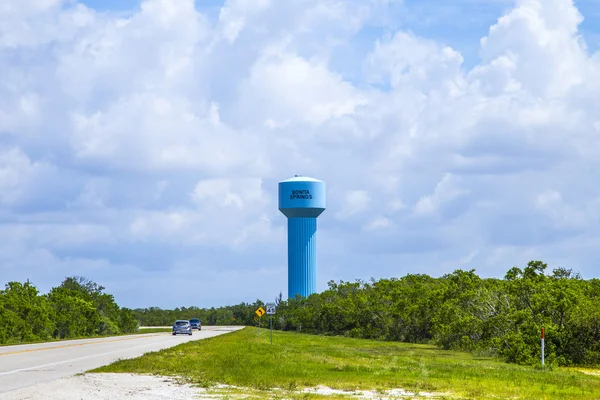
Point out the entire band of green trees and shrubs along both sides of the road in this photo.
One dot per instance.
(458, 311)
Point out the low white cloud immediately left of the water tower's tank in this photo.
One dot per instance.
(229, 213)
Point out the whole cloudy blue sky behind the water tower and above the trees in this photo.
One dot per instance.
(141, 142)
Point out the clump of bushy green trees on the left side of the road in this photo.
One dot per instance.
(76, 308)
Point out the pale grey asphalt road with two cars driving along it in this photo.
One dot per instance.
(26, 365)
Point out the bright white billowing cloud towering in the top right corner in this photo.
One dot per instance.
(543, 41)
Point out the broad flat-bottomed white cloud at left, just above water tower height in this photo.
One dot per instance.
(155, 132)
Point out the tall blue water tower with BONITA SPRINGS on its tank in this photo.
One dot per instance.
(302, 200)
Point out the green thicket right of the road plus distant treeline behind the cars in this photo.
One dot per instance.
(458, 311)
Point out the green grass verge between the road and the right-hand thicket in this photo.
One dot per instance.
(246, 359)
